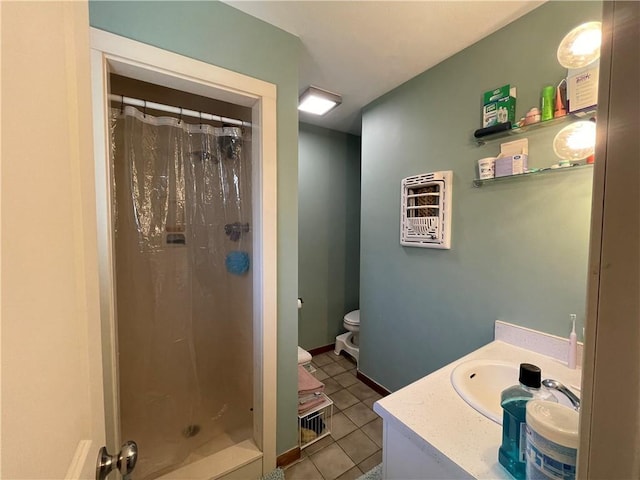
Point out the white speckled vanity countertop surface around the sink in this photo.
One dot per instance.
(439, 422)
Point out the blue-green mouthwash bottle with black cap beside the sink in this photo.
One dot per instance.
(511, 454)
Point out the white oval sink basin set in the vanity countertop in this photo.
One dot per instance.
(480, 382)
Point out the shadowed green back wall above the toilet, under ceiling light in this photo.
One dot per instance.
(328, 232)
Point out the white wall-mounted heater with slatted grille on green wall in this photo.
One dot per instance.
(425, 213)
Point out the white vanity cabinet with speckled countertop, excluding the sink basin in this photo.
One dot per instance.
(430, 432)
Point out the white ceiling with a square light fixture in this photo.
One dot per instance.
(363, 49)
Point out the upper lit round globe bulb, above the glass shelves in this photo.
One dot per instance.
(581, 46)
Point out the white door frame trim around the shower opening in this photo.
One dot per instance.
(114, 54)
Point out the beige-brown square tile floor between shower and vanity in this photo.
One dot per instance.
(355, 444)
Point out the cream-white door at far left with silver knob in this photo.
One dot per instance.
(52, 402)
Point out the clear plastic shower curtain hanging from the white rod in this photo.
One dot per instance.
(183, 287)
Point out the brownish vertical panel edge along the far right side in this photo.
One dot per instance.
(610, 415)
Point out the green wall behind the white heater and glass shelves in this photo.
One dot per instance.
(519, 249)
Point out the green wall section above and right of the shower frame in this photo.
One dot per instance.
(220, 35)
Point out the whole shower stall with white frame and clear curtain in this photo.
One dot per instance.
(186, 228)
